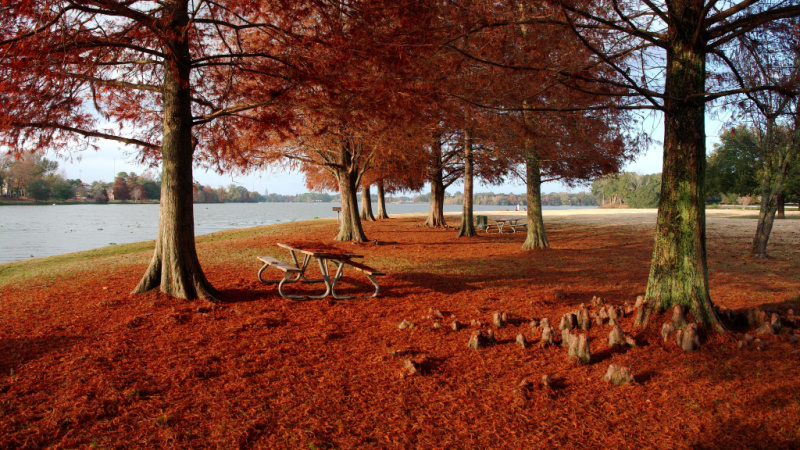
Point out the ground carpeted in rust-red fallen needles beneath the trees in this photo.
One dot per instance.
(85, 364)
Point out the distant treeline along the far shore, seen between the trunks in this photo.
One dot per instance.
(37, 179)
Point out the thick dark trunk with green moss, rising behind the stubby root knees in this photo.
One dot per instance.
(679, 271)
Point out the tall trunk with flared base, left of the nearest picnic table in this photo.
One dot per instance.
(174, 266)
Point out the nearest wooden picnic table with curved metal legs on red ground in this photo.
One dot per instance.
(297, 271)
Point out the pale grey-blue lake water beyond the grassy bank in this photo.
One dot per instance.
(34, 231)
